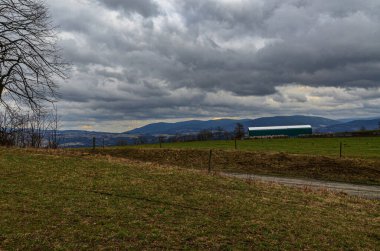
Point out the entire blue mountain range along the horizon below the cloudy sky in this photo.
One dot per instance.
(77, 138)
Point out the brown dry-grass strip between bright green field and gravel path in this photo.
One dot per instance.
(360, 171)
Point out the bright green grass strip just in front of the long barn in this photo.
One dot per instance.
(357, 147)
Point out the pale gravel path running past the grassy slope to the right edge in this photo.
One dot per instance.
(371, 192)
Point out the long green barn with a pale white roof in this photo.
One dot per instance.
(289, 131)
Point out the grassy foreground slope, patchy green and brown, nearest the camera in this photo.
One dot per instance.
(73, 202)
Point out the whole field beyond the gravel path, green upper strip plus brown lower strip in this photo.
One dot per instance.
(313, 158)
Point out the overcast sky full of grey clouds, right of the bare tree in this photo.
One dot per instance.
(136, 62)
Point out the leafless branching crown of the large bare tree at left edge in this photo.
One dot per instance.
(30, 61)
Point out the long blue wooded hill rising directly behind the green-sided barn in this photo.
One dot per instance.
(194, 126)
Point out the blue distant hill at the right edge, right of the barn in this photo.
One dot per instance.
(356, 125)
